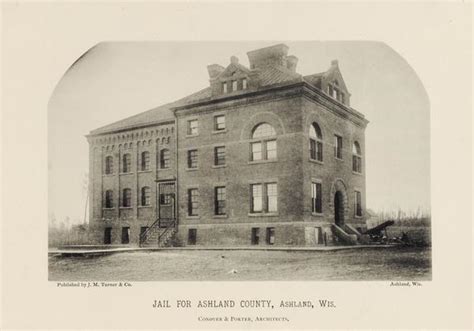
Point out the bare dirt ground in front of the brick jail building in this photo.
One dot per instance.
(353, 265)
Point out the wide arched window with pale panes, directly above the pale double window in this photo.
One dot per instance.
(263, 146)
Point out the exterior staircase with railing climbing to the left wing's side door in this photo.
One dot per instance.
(159, 234)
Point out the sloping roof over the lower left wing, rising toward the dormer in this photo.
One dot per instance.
(155, 115)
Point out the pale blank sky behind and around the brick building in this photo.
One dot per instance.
(114, 80)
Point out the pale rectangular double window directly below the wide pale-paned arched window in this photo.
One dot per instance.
(264, 198)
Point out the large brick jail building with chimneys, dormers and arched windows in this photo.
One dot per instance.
(262, 156)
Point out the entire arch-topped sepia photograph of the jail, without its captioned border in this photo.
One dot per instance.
(239, 161)
